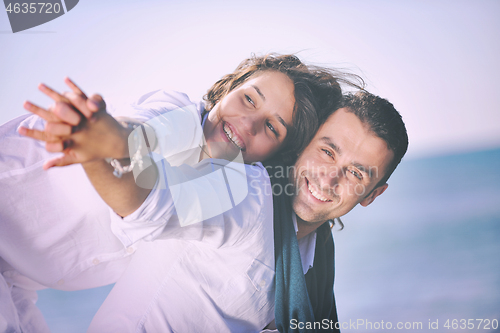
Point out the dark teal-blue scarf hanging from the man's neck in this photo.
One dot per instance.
(300, 299)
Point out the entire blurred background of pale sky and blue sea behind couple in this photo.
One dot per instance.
(428, 249)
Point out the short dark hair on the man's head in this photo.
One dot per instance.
(384, 121)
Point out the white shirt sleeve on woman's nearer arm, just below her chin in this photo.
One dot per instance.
(195, 203)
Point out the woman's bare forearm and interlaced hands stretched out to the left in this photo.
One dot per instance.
(97, 137)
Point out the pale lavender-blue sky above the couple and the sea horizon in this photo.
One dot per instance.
(437, 61)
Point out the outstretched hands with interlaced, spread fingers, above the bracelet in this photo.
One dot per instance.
(77, 126)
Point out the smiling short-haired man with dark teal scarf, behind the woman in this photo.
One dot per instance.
(348, 162)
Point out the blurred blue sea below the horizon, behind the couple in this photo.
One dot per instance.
(427, 250)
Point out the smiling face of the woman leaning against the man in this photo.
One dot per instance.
(253, 118)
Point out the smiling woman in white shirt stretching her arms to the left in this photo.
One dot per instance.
(270, 104)
